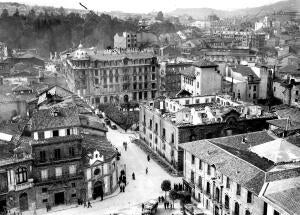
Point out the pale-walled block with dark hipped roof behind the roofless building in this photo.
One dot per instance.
(202, 78)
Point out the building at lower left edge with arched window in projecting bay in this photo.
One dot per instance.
(16, 175)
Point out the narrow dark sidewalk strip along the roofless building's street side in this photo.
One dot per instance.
(156, 157)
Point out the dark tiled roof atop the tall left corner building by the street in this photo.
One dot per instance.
(44, 119)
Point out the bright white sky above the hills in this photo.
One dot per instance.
(144, 6)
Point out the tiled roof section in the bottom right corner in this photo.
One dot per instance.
(288, 200)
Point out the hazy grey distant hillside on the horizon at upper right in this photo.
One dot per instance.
(201, 13)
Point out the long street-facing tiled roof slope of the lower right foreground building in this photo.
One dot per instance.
(238, 170)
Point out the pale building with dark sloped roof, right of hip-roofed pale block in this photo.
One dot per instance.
(249, 83)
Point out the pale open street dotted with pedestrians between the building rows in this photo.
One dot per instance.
(144, 188)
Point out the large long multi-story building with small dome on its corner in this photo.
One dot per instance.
(120, 76)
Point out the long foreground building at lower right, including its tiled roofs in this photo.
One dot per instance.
(253, 173)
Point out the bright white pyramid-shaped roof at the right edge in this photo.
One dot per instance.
(278, 150)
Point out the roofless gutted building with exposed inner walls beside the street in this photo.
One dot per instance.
(167, 123)
